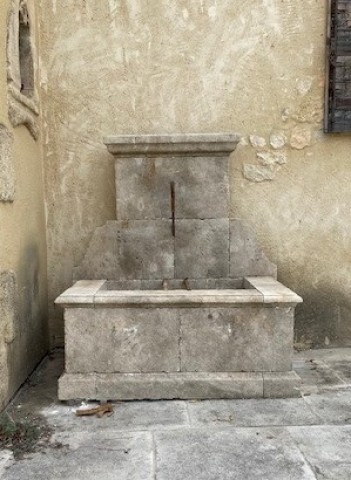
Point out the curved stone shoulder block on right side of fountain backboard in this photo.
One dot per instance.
(246, 256)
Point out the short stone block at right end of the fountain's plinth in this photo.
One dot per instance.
(281, 384)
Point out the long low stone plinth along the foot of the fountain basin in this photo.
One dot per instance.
(166, 386)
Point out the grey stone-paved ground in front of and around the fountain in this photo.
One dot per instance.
(295, 439)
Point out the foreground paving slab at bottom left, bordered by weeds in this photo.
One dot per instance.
(90, 455)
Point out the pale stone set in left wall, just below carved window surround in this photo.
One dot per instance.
(7, 169)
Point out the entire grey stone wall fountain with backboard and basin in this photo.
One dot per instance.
(175, 299)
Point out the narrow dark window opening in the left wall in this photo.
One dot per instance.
(26, 56)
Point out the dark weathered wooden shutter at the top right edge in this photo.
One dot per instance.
(338, 88)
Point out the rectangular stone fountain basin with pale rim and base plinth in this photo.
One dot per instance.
(223, 338)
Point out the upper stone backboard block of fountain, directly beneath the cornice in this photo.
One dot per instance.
(143, 187)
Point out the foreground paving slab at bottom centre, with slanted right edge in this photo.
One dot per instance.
(227, 454)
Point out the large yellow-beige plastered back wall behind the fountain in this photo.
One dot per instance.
(254, 67)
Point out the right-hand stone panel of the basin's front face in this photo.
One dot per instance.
(237, 339)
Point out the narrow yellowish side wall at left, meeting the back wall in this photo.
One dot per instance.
(23, 292)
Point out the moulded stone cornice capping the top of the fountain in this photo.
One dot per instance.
(190, 144)
